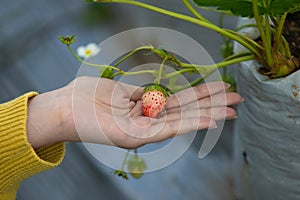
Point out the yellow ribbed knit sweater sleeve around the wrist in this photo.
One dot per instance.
(18, 160)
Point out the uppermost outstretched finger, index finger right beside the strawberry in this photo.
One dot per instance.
(194, 93)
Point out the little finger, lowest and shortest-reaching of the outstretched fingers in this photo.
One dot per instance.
(179, 127)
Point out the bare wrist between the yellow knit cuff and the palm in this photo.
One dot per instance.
(49, 118)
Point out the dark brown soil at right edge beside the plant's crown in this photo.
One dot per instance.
(292, 33)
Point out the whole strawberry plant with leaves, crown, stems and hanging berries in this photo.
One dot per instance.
(271, 50)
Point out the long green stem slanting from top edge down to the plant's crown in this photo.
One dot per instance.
(189, 19)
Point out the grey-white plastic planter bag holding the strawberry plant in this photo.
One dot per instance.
(267, 136)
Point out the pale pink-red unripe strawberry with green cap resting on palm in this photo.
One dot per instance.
(154, 100)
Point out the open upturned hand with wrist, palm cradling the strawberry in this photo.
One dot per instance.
(108, 112)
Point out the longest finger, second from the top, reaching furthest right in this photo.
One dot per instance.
(222, 99)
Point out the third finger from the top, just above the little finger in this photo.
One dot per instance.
(217, 113)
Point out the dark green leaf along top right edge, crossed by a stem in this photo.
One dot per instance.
(244, 8)
